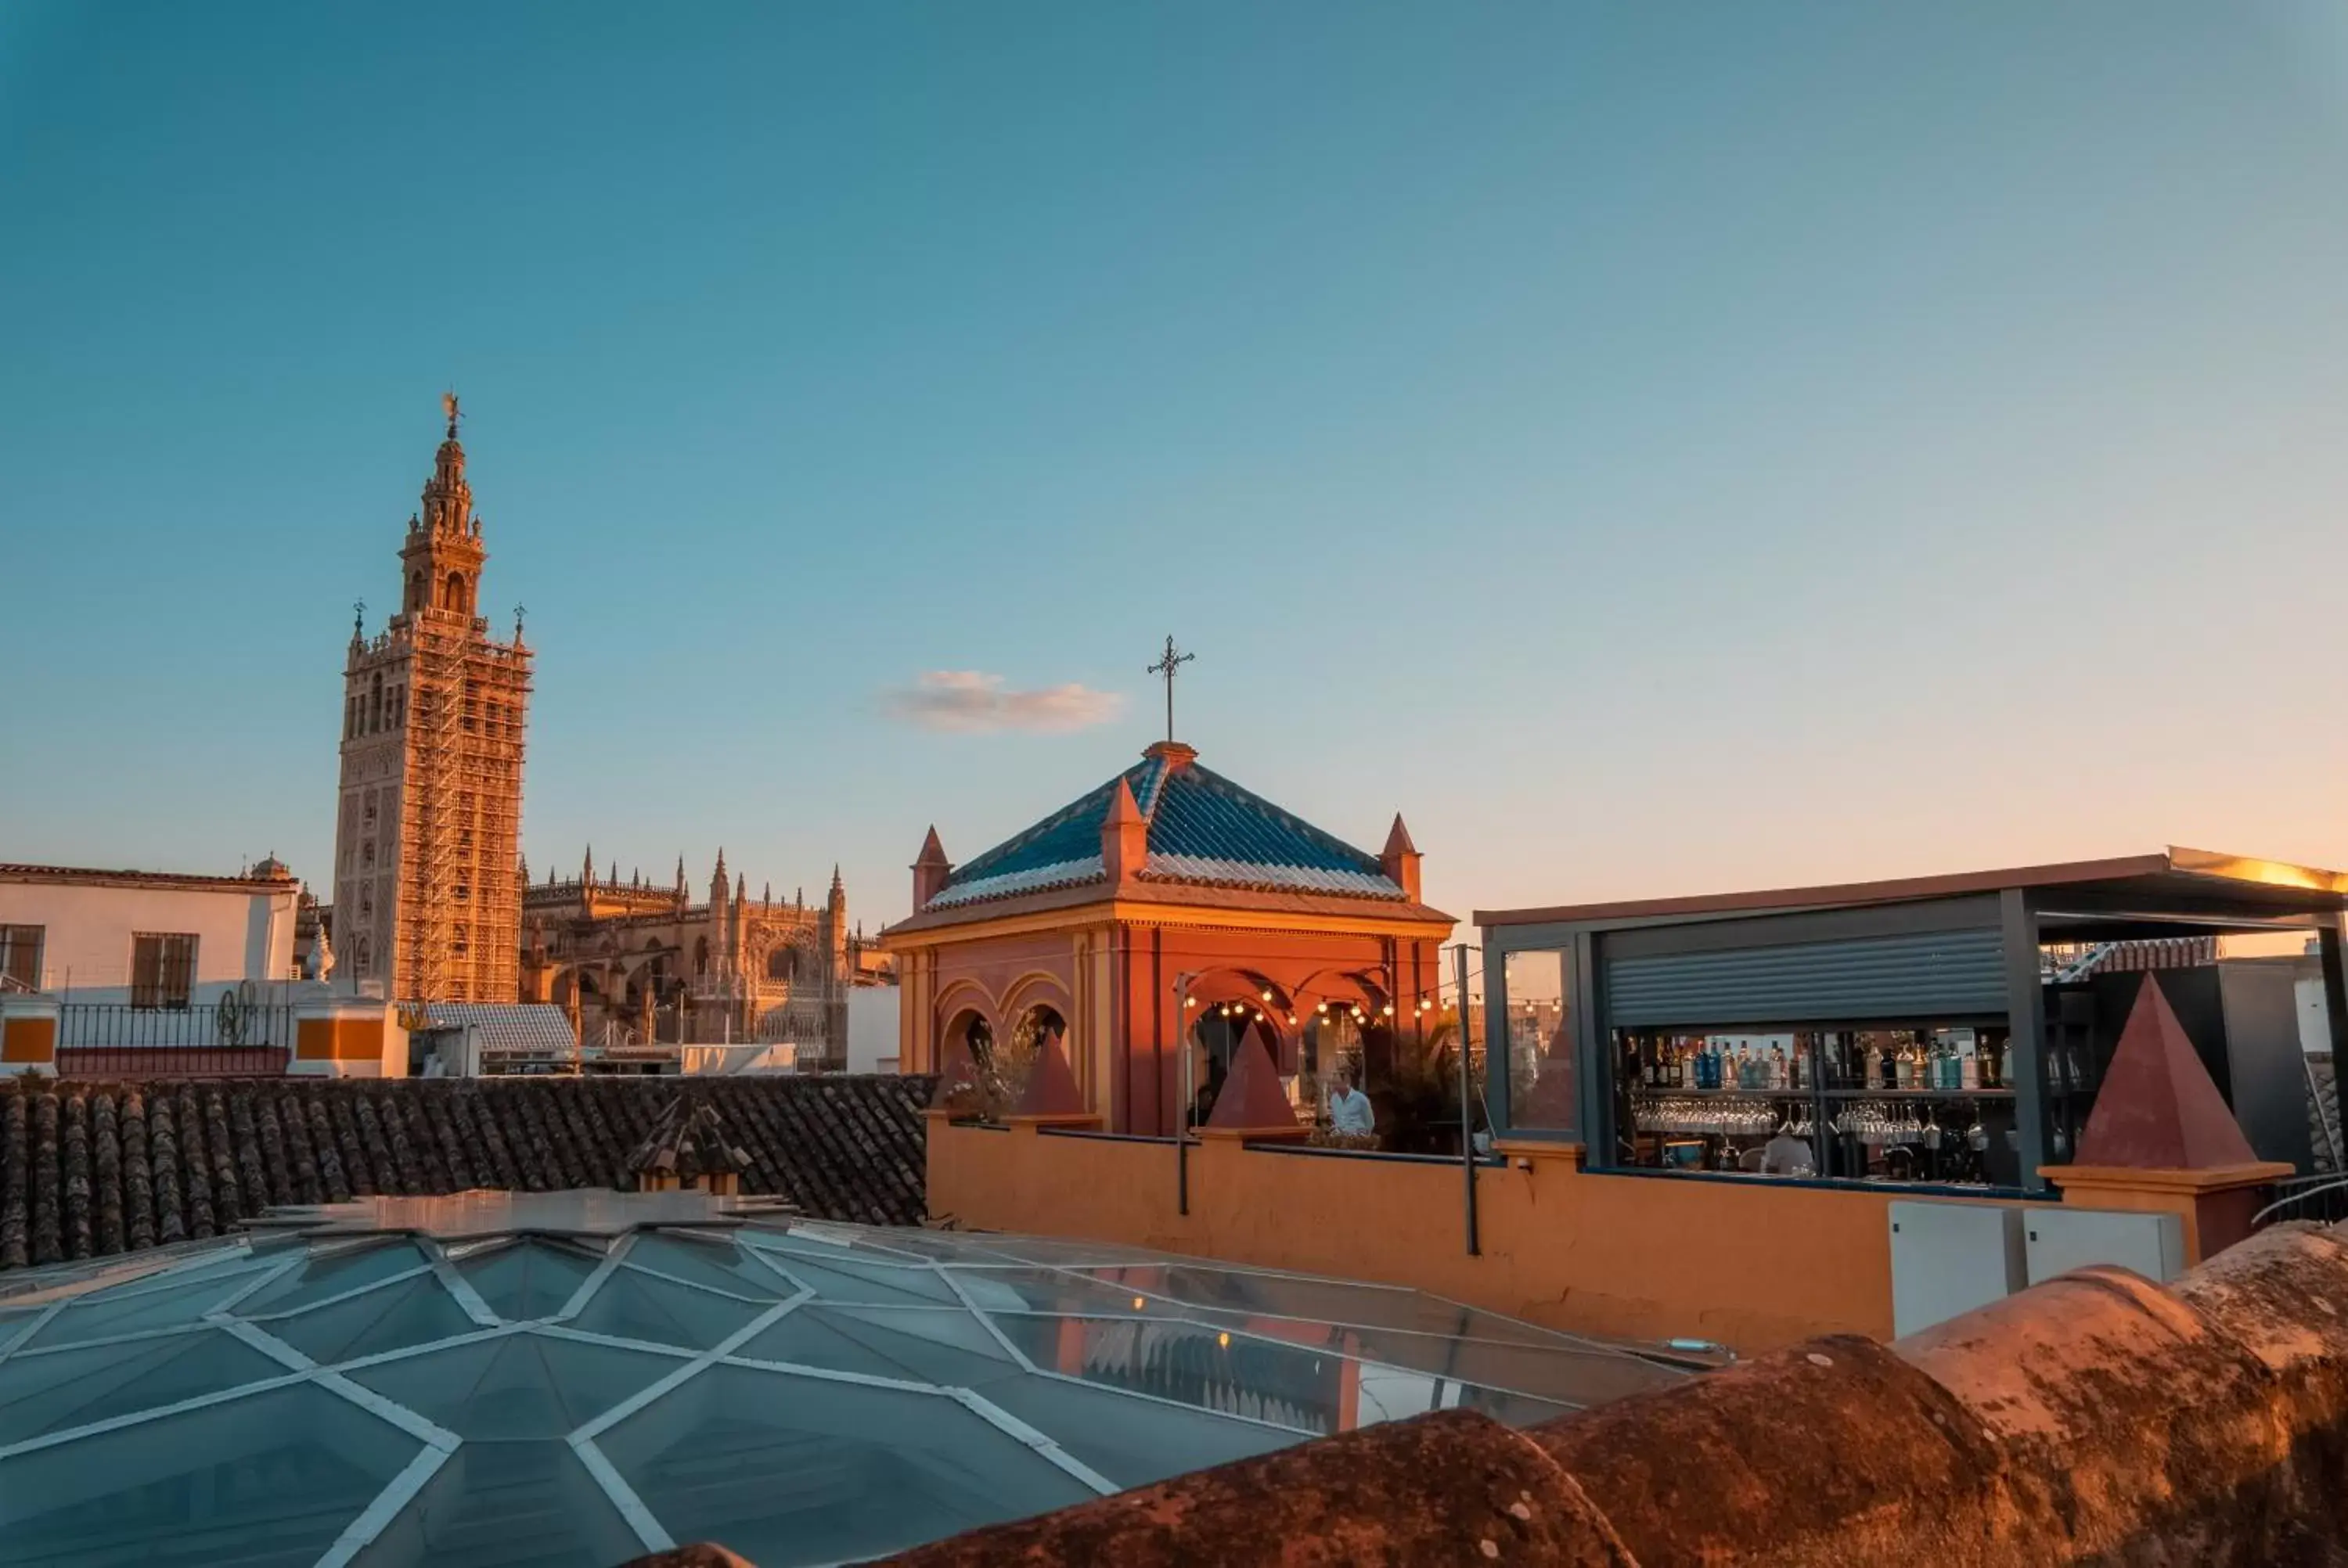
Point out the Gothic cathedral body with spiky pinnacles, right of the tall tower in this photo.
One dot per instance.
(637, 964)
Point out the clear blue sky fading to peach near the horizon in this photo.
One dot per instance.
(1654, 450)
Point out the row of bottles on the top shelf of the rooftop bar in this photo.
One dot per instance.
(1945, 1062)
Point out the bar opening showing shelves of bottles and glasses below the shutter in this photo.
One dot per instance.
(1915, 1104)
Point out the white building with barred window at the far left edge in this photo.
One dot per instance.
(144, 940)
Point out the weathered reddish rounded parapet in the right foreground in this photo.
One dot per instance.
(2096, 1419)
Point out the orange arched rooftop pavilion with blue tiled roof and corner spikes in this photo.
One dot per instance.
(1159, 914)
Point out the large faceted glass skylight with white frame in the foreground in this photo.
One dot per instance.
(586, 1377)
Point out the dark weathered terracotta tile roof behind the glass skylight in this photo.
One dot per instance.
(95, 1168)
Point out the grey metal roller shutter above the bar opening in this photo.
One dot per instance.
(1865, 978)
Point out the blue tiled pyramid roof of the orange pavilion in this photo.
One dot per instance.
(1201, 830)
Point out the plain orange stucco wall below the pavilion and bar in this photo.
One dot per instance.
(1642, 1257)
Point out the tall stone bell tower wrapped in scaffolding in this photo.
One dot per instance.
(429, 834)
